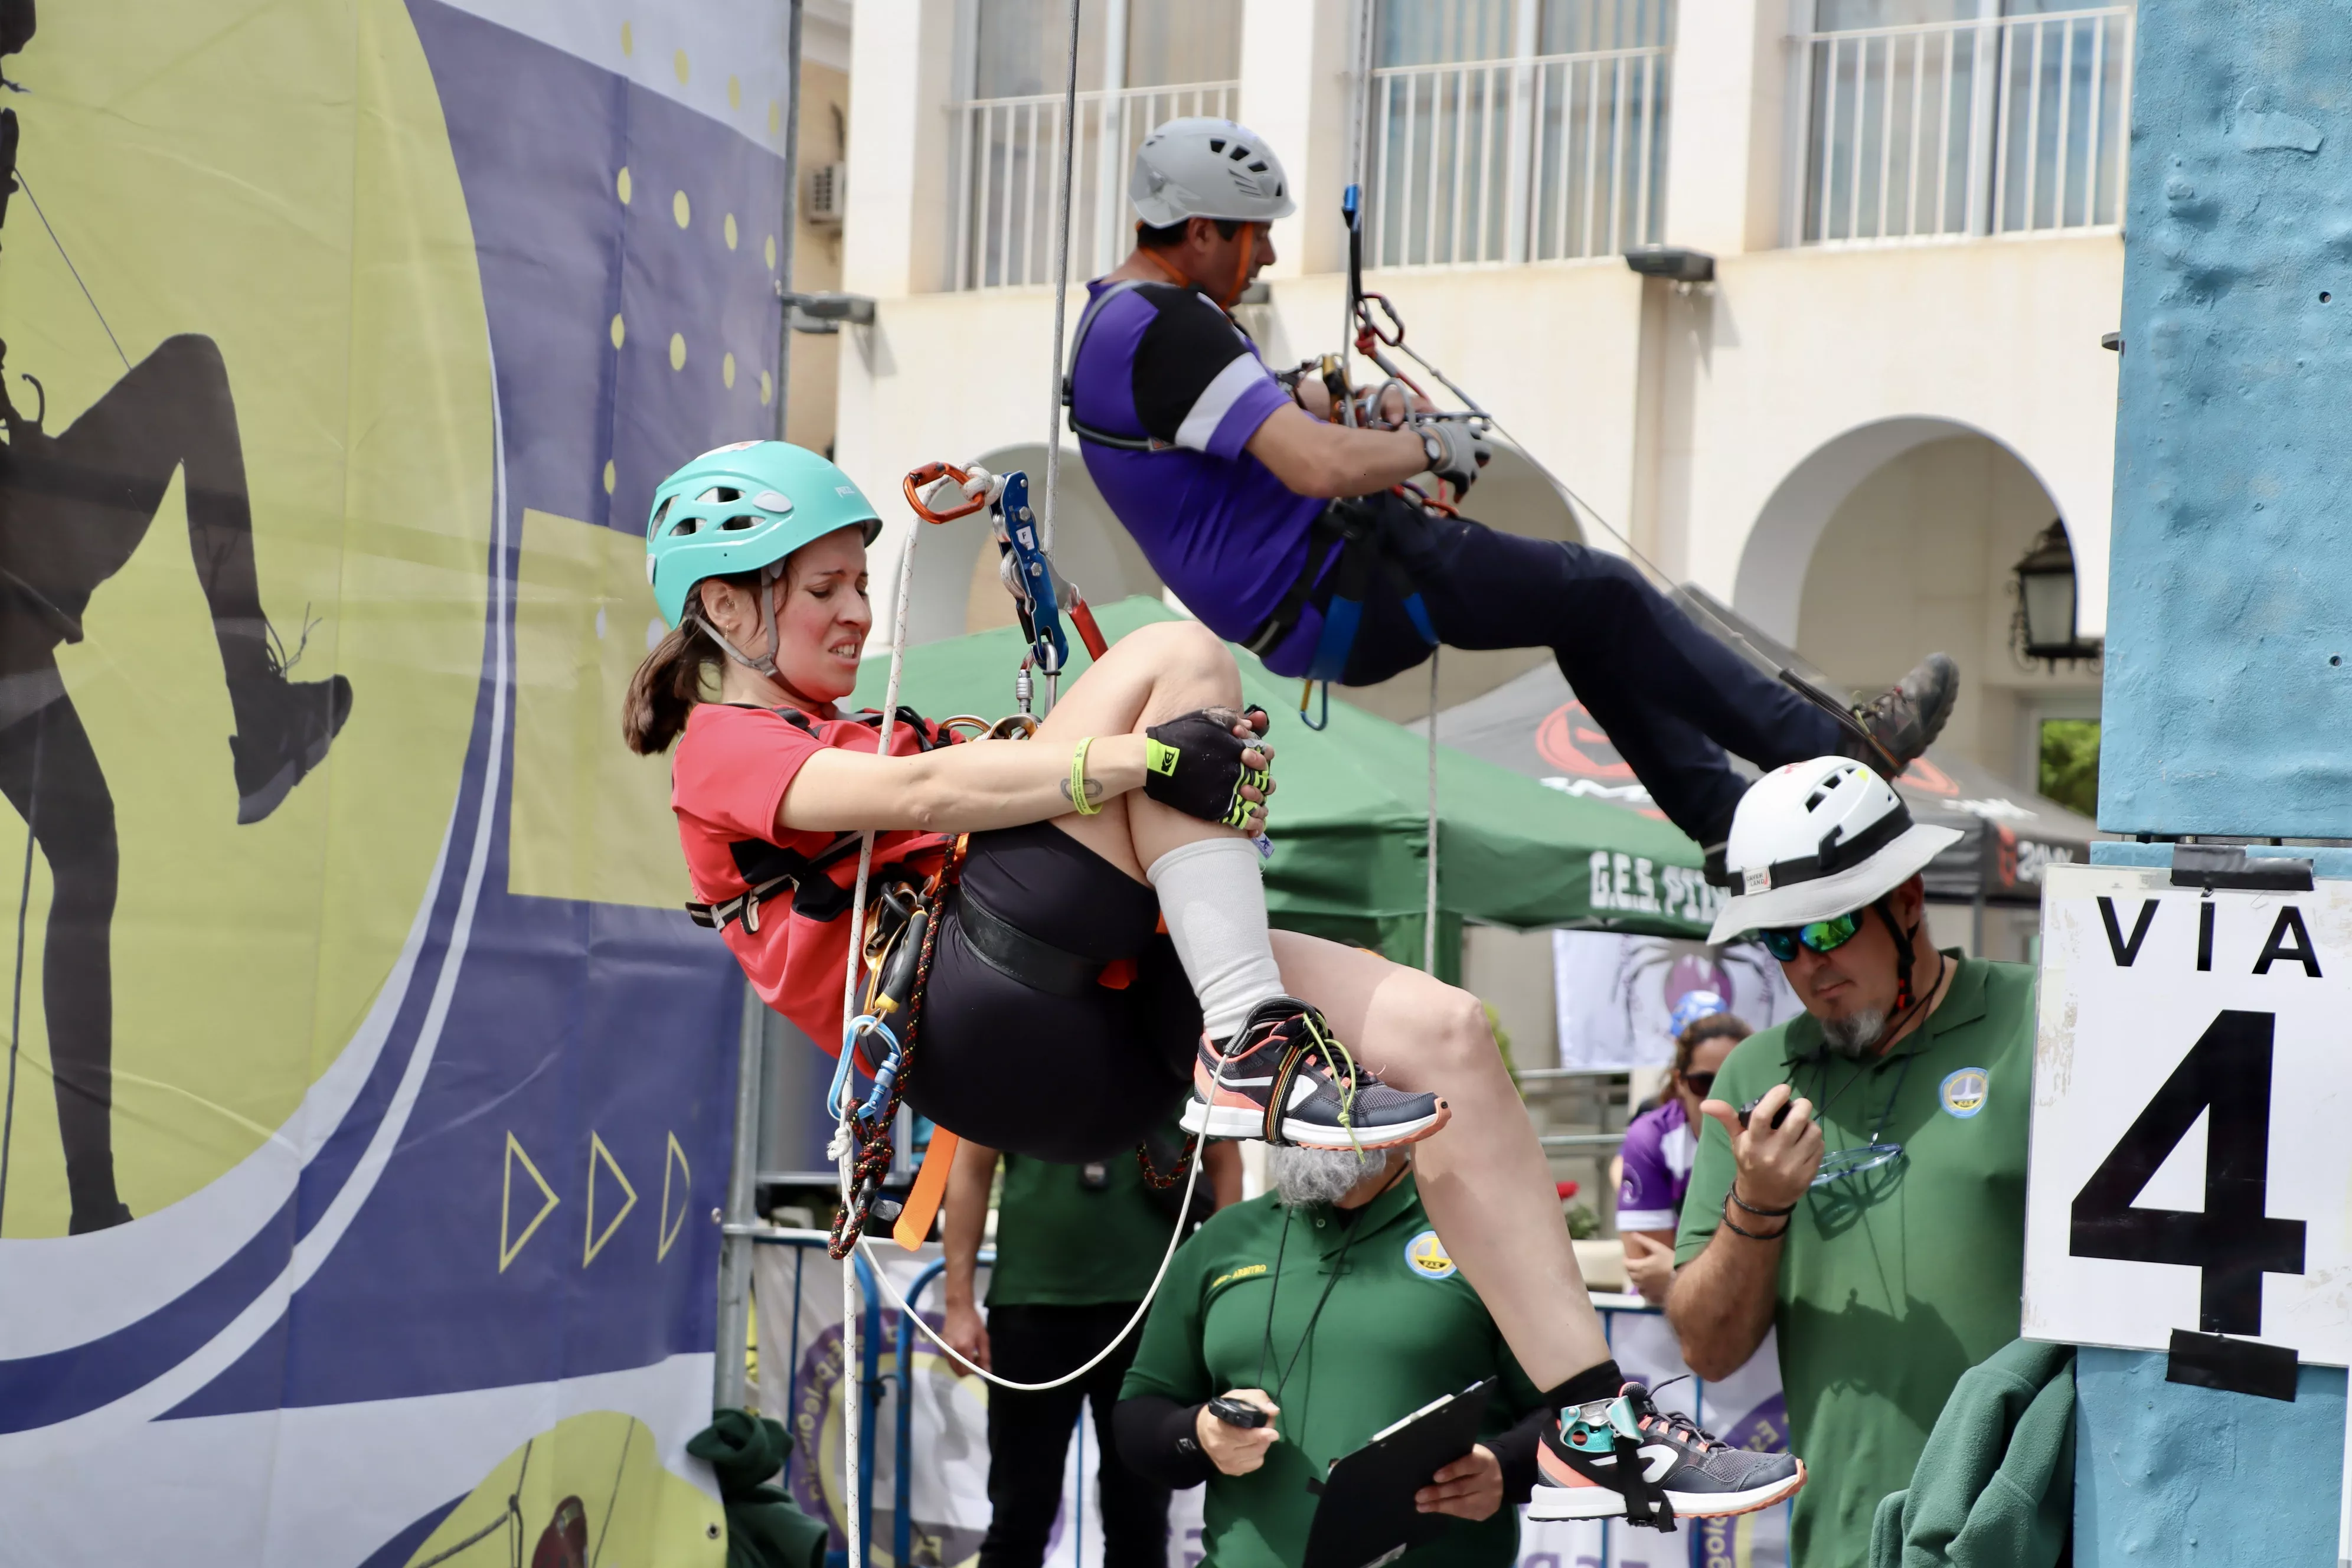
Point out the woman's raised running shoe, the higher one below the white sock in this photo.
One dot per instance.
(1285, 1078)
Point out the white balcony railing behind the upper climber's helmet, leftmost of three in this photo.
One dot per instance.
(1008, 161)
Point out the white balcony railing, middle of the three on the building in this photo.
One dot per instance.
(1535, 159)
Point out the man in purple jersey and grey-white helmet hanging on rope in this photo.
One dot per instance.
(1302, 537)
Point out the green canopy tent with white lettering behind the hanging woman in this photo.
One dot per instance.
(1351, 819)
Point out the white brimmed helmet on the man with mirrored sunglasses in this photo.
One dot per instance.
(1819, 840)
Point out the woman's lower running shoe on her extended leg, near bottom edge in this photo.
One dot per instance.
(1626, 1459)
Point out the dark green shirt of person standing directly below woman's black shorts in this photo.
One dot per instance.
(1064, 1242)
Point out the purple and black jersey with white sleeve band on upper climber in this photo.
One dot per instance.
(1215, 523)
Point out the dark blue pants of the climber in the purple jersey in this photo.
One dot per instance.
(1671, 697)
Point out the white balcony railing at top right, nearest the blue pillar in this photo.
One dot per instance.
(1965, 128)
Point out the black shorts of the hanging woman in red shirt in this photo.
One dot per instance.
(1038, 1073)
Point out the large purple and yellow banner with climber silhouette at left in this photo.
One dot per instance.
(368, 1094)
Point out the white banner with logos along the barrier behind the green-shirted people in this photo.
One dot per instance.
(801, 1383)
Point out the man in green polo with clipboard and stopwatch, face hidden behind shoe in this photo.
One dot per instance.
(1332, 1308)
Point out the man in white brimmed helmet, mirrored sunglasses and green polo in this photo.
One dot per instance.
(1862, 1174)
